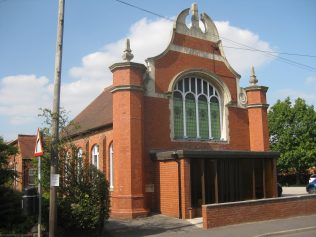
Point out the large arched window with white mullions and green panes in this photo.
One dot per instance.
(196, 110)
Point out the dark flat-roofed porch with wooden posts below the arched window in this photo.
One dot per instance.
(216, 176)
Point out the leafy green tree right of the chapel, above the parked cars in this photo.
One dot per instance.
(293, 134)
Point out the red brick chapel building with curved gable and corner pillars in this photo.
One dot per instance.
(135, 114)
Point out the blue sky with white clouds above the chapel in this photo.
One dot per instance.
(94, 35)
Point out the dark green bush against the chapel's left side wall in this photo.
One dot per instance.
(83, 202)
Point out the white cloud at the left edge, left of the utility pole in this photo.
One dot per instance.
(22, 95)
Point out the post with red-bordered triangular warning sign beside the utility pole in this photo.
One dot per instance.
(38, 153)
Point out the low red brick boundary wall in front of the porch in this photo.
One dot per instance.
(222, 214)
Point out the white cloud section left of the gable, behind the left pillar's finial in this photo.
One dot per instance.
(148, 38)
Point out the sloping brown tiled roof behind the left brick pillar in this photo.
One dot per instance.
(96, 115)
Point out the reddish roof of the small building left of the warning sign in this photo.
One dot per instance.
(26, 145)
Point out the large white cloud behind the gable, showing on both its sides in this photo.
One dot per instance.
(148, 39)
